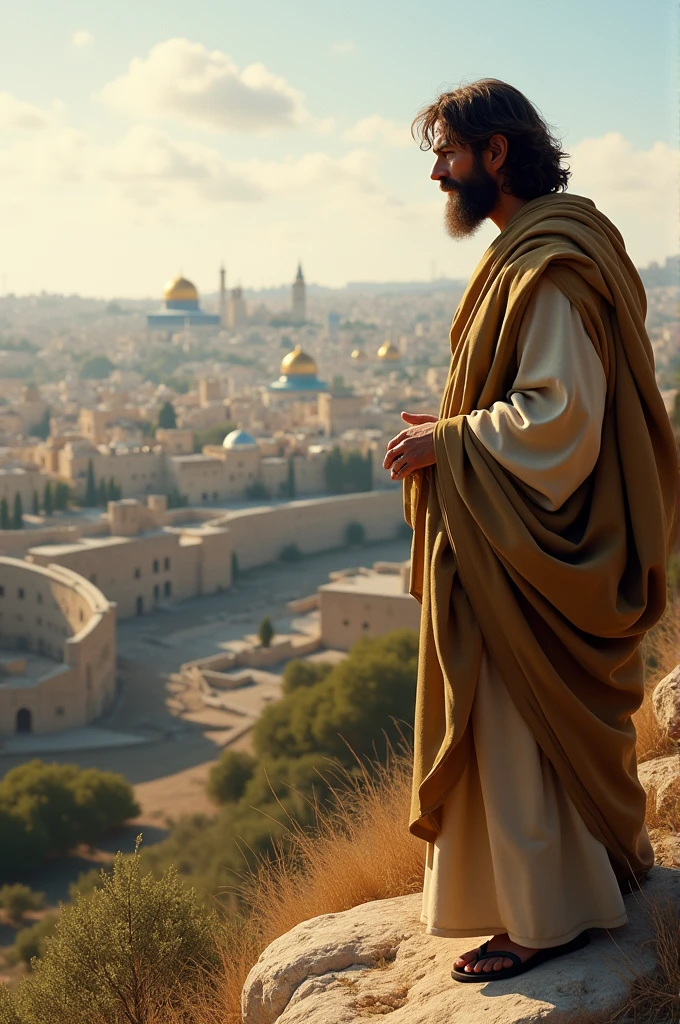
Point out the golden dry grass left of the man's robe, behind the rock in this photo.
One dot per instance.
(360, 850)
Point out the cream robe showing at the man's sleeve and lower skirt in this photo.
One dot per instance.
(514, 855)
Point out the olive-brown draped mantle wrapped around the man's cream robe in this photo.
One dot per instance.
(561, 599)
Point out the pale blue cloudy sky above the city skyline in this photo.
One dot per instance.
(142, 140)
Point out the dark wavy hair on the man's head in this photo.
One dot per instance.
(471, 115)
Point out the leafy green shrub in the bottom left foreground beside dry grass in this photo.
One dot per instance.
(129, 955)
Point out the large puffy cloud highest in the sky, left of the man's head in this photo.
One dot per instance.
(187, 82)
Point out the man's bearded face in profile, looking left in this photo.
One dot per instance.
(473, 192)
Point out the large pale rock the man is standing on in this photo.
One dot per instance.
(376, 960)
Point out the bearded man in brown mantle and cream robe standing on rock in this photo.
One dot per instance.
(543, 504)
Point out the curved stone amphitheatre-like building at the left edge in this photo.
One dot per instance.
(58, 649)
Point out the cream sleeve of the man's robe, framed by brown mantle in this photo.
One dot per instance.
(547, 434)
